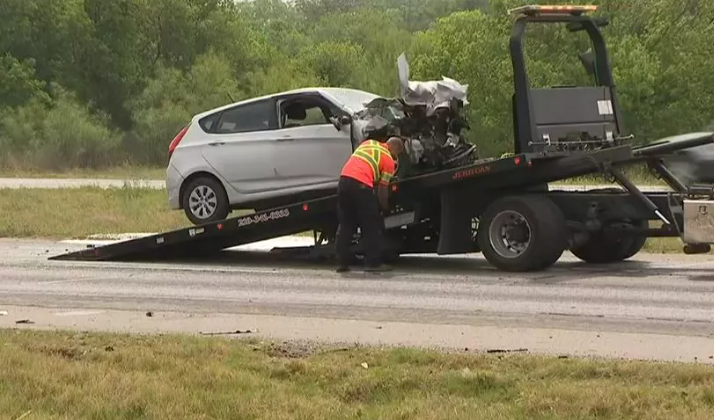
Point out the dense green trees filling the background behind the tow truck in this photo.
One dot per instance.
(95, 83)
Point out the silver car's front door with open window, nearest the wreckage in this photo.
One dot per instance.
(310, 153)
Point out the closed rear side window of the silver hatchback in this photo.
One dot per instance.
(257, 116)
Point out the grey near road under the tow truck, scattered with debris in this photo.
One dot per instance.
(657, 307)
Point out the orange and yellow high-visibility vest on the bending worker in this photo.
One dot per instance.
(370, 163)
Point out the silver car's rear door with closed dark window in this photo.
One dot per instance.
(240, 147)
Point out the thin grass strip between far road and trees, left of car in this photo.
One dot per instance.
(120, 172)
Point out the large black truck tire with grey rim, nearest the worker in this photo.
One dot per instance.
(506, 223)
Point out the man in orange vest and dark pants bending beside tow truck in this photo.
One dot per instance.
(371, 165)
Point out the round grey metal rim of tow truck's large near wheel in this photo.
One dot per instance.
(509, 234)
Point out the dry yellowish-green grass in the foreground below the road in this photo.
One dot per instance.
(62, 375)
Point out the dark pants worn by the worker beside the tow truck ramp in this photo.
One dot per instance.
(357, 206)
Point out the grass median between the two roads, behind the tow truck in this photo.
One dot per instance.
(80, 212)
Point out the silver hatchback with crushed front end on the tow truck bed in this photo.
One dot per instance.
(273, 150)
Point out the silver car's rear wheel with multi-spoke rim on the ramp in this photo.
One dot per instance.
(205, 201)
